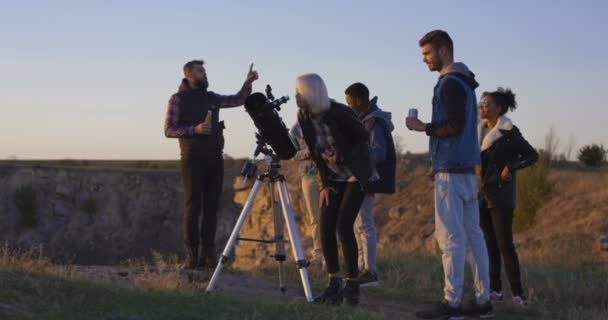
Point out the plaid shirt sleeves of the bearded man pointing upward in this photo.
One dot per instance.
(173, 129)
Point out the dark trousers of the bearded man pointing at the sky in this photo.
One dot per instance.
(203, 177)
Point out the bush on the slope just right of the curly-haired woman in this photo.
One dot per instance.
(533, 189)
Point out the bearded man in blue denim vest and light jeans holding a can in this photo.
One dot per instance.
(454, 153)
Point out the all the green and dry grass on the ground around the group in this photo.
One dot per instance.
(32, 288)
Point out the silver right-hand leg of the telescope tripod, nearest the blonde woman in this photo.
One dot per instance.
(294, 236)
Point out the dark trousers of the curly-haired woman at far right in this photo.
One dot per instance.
(497, 226)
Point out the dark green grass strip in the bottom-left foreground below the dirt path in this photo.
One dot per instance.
(37, 296)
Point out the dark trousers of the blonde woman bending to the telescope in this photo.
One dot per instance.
(339, 216)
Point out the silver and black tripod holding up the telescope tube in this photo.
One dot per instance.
(274, 179)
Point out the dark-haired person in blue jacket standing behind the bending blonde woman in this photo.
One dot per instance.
(379, 125)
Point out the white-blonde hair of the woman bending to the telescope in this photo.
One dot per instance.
(312, 89)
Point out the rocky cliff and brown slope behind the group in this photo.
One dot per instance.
(105, 216)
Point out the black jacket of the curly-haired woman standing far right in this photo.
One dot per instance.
(511, 150)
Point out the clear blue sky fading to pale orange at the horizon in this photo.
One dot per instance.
(91, 79)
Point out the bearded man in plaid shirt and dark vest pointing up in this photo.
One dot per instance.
(193, 117)
